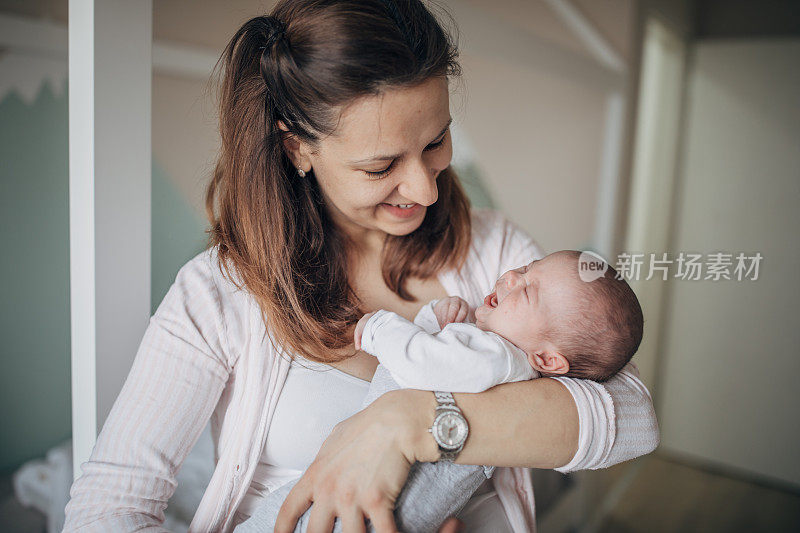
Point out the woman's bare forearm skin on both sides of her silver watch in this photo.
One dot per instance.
(531, 423)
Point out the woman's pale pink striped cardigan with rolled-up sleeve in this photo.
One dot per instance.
(206, 353)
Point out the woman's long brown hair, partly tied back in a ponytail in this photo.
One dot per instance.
(301, 65)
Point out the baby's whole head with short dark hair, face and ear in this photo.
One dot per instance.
(567, 326)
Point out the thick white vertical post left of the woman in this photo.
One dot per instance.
(110, 45)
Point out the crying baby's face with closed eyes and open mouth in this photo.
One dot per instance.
(525, 299)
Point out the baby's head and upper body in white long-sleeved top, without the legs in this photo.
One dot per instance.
(541, 320)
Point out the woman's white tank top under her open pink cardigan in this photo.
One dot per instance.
(314, 398)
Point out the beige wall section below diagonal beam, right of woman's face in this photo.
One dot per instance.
(538, 140)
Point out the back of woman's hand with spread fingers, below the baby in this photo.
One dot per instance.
(360, 469)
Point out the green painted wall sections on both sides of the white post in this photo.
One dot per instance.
(35, 411)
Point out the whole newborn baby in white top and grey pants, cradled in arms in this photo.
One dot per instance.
(541, 320)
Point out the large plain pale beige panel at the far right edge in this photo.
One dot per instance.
(729, 391)
